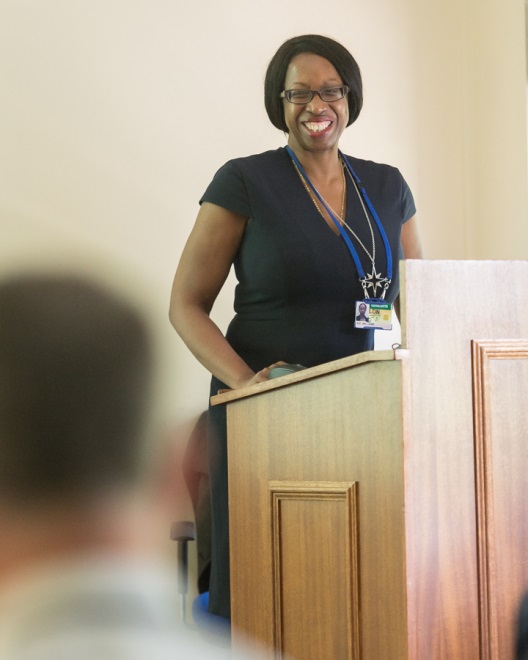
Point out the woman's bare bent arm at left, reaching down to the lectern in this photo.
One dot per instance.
(203, 268)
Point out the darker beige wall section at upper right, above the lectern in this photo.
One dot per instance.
(471, 110)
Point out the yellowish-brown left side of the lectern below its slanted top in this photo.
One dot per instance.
(330, 429)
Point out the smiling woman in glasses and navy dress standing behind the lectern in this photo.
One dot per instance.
(310, 232)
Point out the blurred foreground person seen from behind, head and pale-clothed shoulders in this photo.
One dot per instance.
(82, 498)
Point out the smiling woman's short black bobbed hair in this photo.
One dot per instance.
(343, 62)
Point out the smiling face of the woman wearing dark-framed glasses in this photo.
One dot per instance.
(317, 125)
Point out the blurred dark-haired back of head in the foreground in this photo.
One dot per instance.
(76, 376)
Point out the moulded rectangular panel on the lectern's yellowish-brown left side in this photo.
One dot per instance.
(315, 533)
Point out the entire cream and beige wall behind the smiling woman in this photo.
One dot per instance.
(114, 115)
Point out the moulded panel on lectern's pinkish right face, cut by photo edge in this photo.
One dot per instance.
(500, 374)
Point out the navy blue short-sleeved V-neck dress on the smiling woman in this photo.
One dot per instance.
(297, 288)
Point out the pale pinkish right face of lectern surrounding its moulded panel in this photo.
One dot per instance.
(447, 305)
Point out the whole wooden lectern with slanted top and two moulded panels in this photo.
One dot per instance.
(379, 503)
